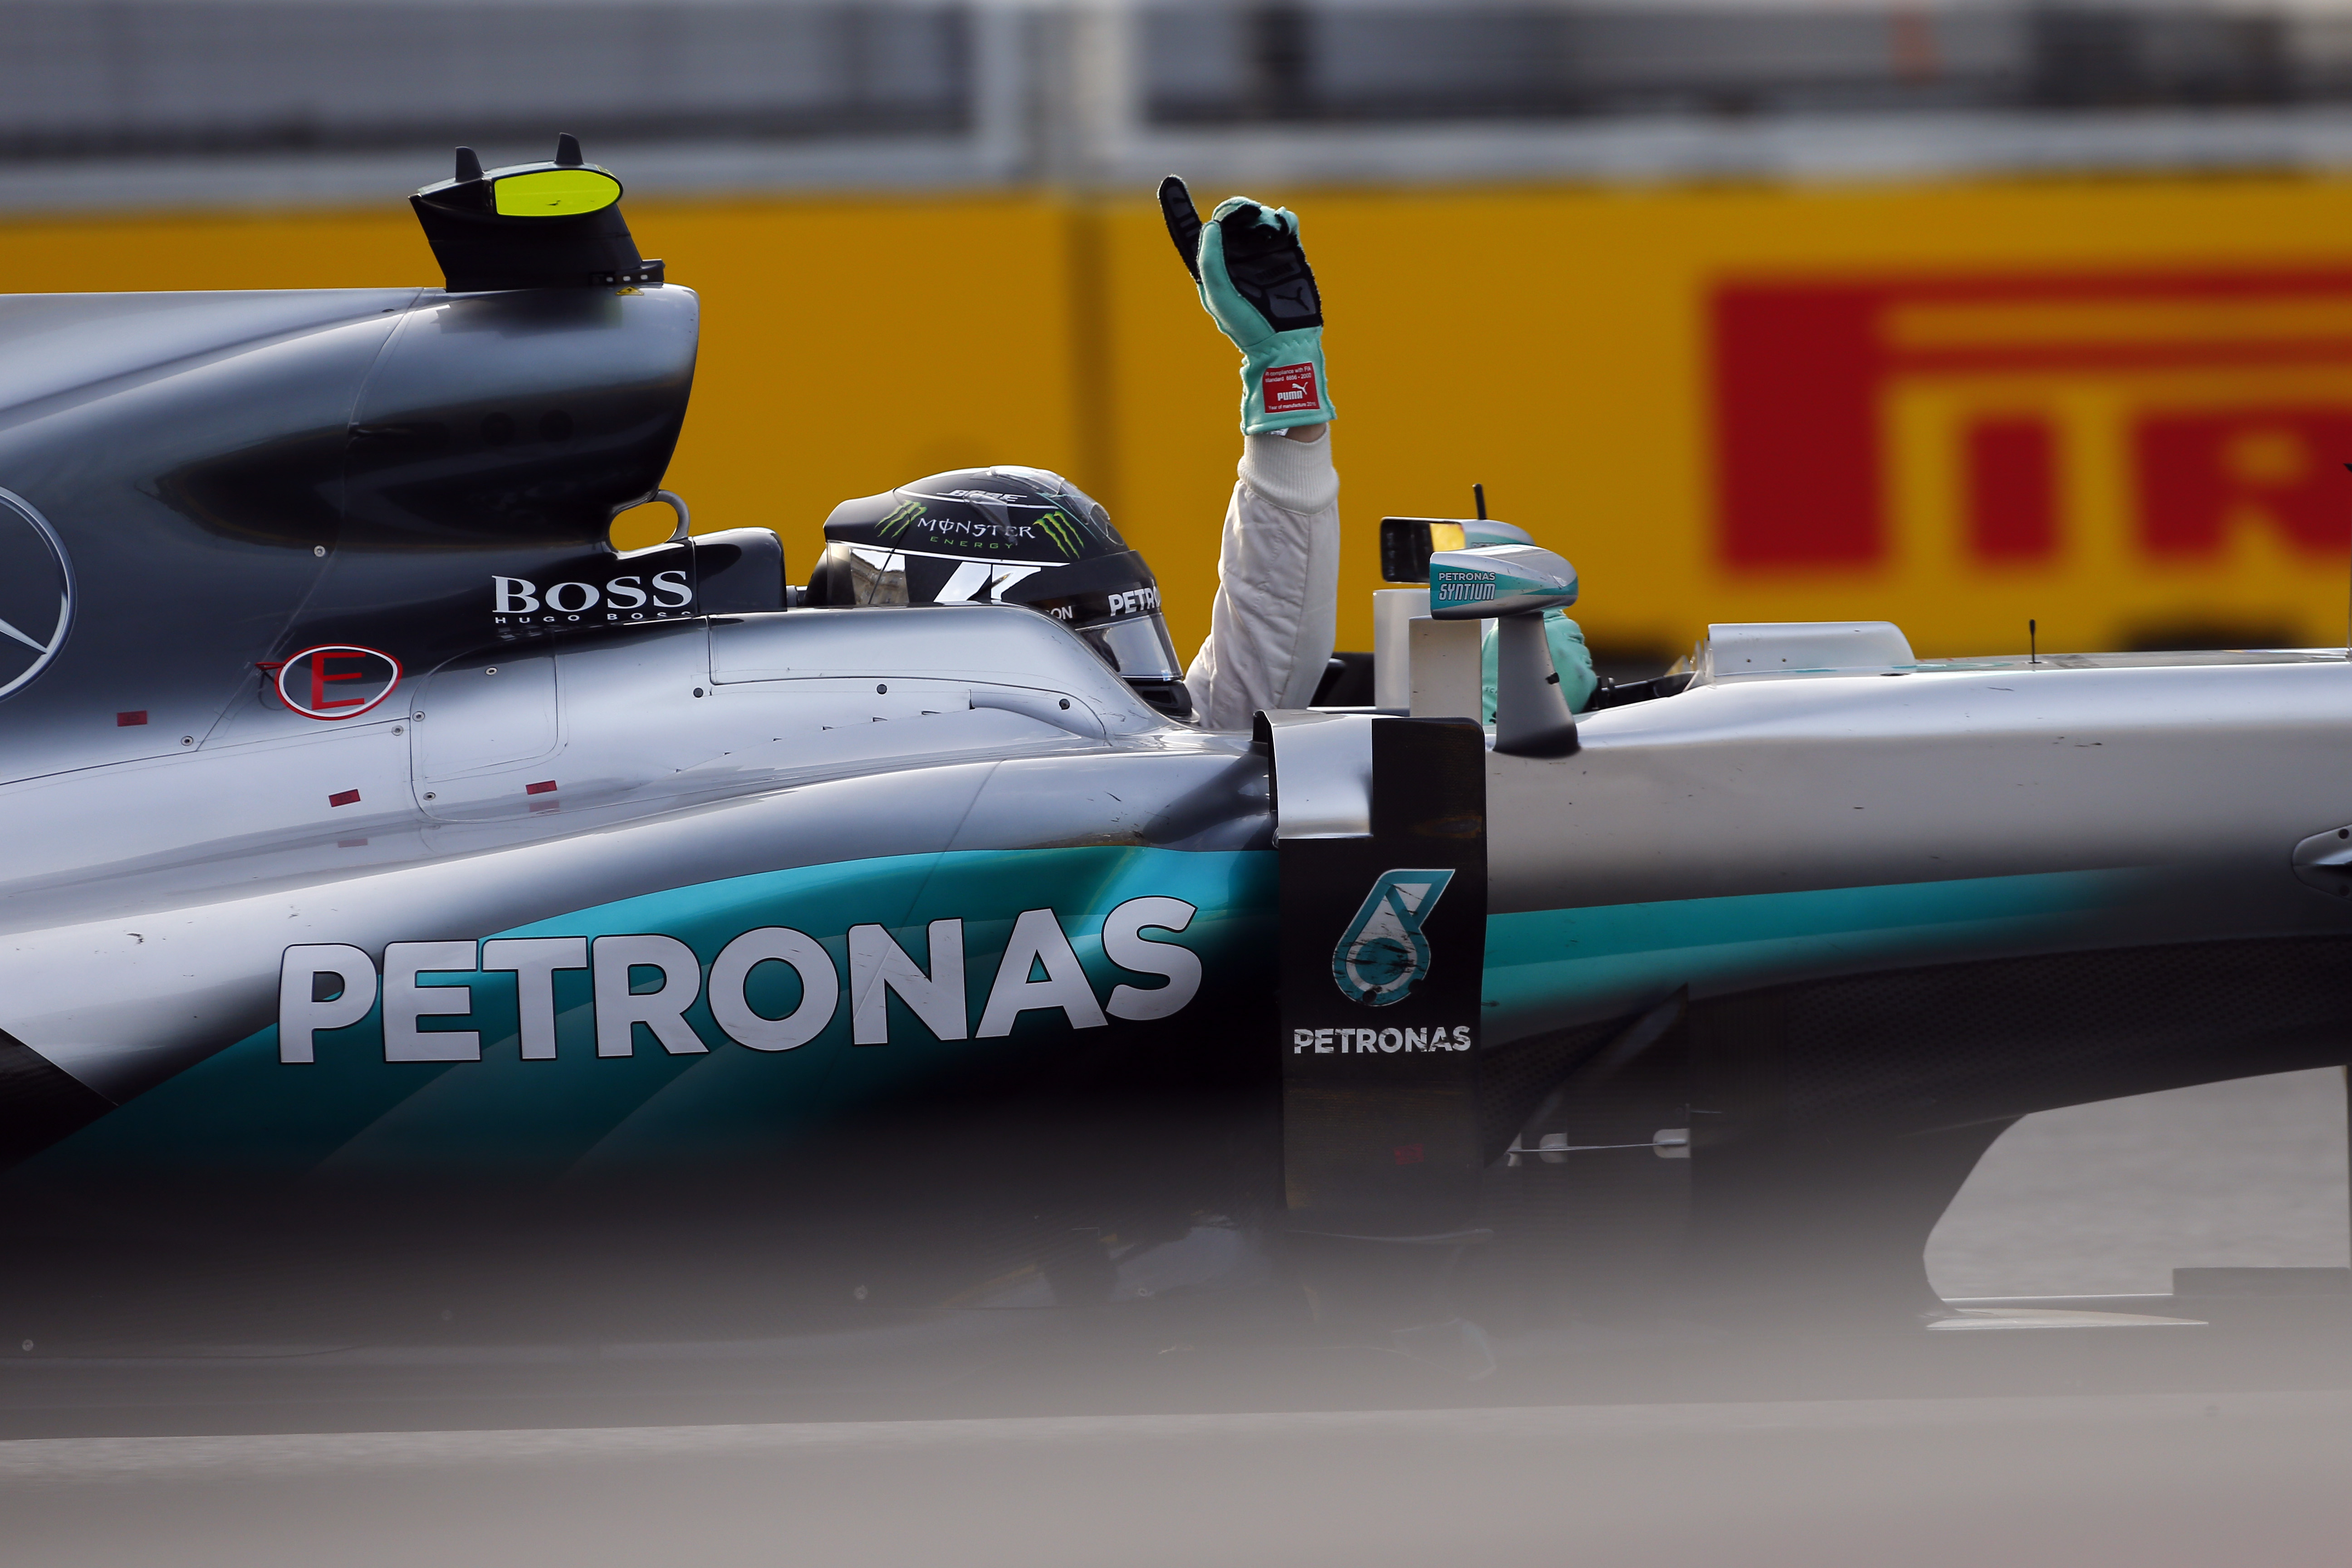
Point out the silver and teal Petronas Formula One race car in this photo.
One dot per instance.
(420, 911)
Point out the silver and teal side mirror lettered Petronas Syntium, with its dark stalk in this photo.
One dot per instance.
(1514, 587)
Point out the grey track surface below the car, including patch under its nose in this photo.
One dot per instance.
(2139, 1447)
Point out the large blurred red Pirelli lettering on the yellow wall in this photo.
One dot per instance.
(2170, 410)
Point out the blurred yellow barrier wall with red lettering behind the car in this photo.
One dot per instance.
(2113, 406)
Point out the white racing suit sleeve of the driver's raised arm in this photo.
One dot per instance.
(1276, 584)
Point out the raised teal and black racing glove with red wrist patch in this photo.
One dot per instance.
(1259, 290)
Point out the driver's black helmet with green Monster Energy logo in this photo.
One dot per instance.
(1005, 537)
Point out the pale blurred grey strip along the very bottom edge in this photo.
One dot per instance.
(2123, 1480)
